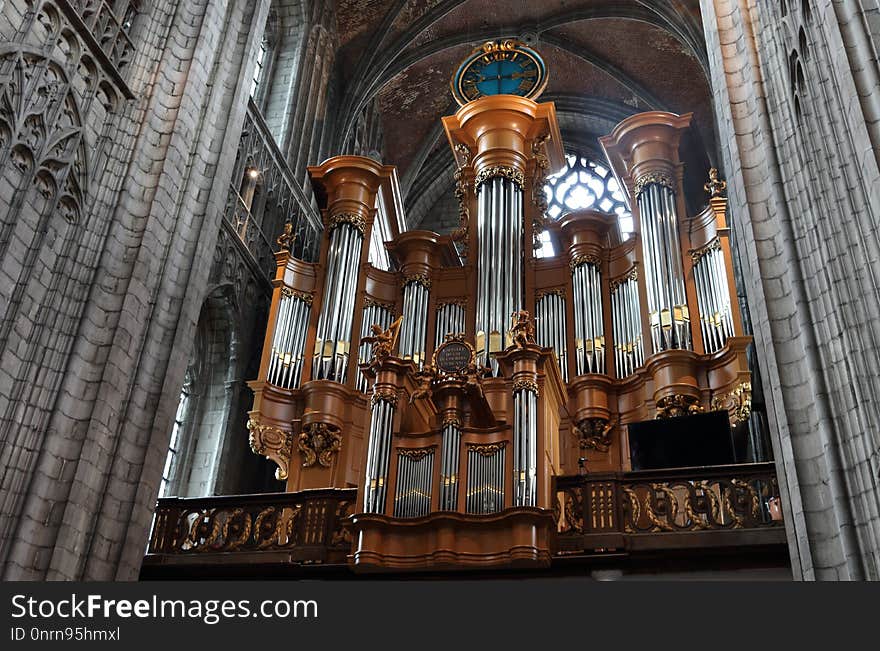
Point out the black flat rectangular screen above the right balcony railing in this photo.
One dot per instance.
(698, 440)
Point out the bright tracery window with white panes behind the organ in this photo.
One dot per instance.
(584, 183)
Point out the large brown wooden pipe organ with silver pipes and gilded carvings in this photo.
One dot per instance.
(453, 387)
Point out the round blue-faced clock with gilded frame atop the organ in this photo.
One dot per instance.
(500, 68)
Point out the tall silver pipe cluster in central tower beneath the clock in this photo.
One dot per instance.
(499, 284)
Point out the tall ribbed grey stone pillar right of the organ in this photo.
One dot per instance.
(796, 97)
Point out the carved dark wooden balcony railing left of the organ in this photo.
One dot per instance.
(310, 525)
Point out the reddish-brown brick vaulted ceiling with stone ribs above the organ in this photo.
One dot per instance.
(606, 59)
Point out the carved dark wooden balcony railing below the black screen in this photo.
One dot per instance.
(666, 508)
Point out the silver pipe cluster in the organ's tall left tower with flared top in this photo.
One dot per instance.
(333, 339)
